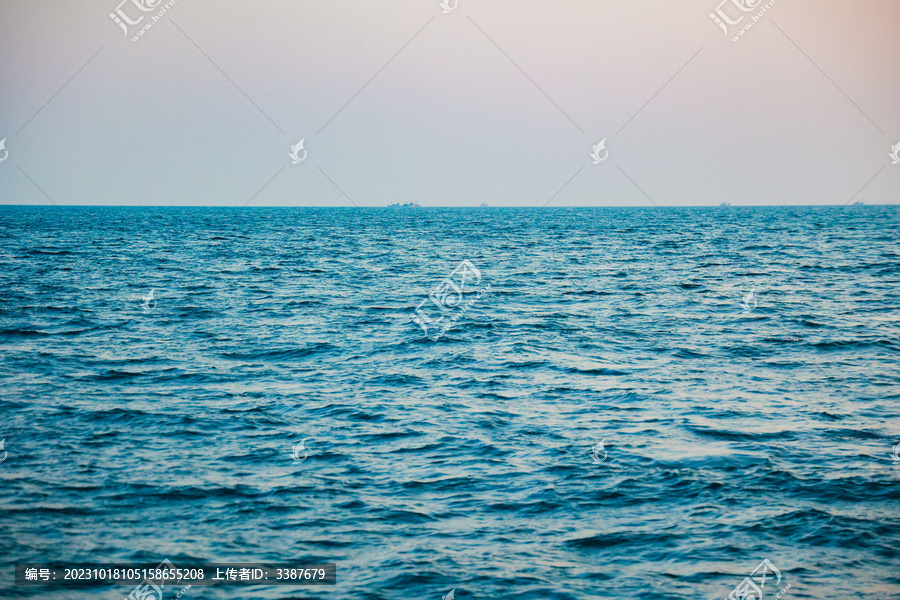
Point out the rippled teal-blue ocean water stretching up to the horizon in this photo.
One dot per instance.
(614, 418)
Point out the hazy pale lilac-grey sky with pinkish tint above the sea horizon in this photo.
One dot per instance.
(458, 104)
